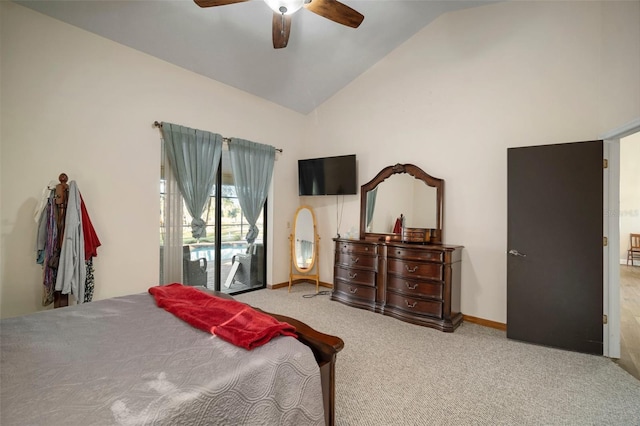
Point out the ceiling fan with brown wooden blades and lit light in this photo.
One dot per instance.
(283, 9)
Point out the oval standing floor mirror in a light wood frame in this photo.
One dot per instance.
(304, 247)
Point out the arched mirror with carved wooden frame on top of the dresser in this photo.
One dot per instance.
(401, 190)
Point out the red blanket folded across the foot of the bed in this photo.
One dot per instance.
(230, 320)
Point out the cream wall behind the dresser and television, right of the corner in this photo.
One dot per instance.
(459, 93)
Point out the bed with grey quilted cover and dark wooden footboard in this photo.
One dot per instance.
(125, 361)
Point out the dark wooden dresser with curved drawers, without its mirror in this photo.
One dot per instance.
(412, 282)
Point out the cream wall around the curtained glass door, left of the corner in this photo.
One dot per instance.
(77, 103)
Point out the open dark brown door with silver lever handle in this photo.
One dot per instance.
(555, 245)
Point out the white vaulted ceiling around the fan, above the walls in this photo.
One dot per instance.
(232, 44)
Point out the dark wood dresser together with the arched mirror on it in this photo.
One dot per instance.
(409, 275)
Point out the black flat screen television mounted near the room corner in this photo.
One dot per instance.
(328, 176)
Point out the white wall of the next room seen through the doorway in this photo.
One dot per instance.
(629, 191)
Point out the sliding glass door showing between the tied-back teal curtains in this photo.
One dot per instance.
(222, 260)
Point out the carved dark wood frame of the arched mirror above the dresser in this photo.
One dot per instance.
(417, 173)
